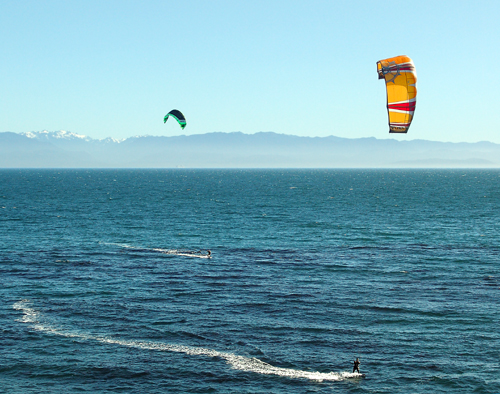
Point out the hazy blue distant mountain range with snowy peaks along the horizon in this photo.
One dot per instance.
(62, 149)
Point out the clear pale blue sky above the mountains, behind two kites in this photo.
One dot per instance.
(115, 68)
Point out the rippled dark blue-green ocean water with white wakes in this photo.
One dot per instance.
(106, 286)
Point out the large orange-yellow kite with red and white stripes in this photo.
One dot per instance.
(401, 84)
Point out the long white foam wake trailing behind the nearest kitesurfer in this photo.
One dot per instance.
(241, 363)
